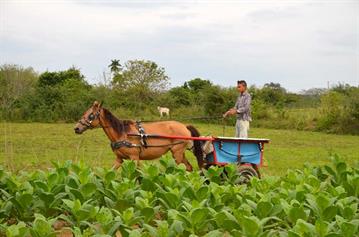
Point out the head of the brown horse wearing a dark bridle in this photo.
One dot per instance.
(90, 119)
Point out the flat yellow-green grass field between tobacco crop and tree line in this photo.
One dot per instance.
(35, 145)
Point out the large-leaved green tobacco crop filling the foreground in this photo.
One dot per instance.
(162, 199)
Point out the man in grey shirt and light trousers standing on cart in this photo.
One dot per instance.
(242, 109)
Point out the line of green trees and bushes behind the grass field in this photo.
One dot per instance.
(137, 87)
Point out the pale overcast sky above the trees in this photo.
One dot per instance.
(299, 44)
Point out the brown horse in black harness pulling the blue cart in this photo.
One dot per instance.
(135, 148)
